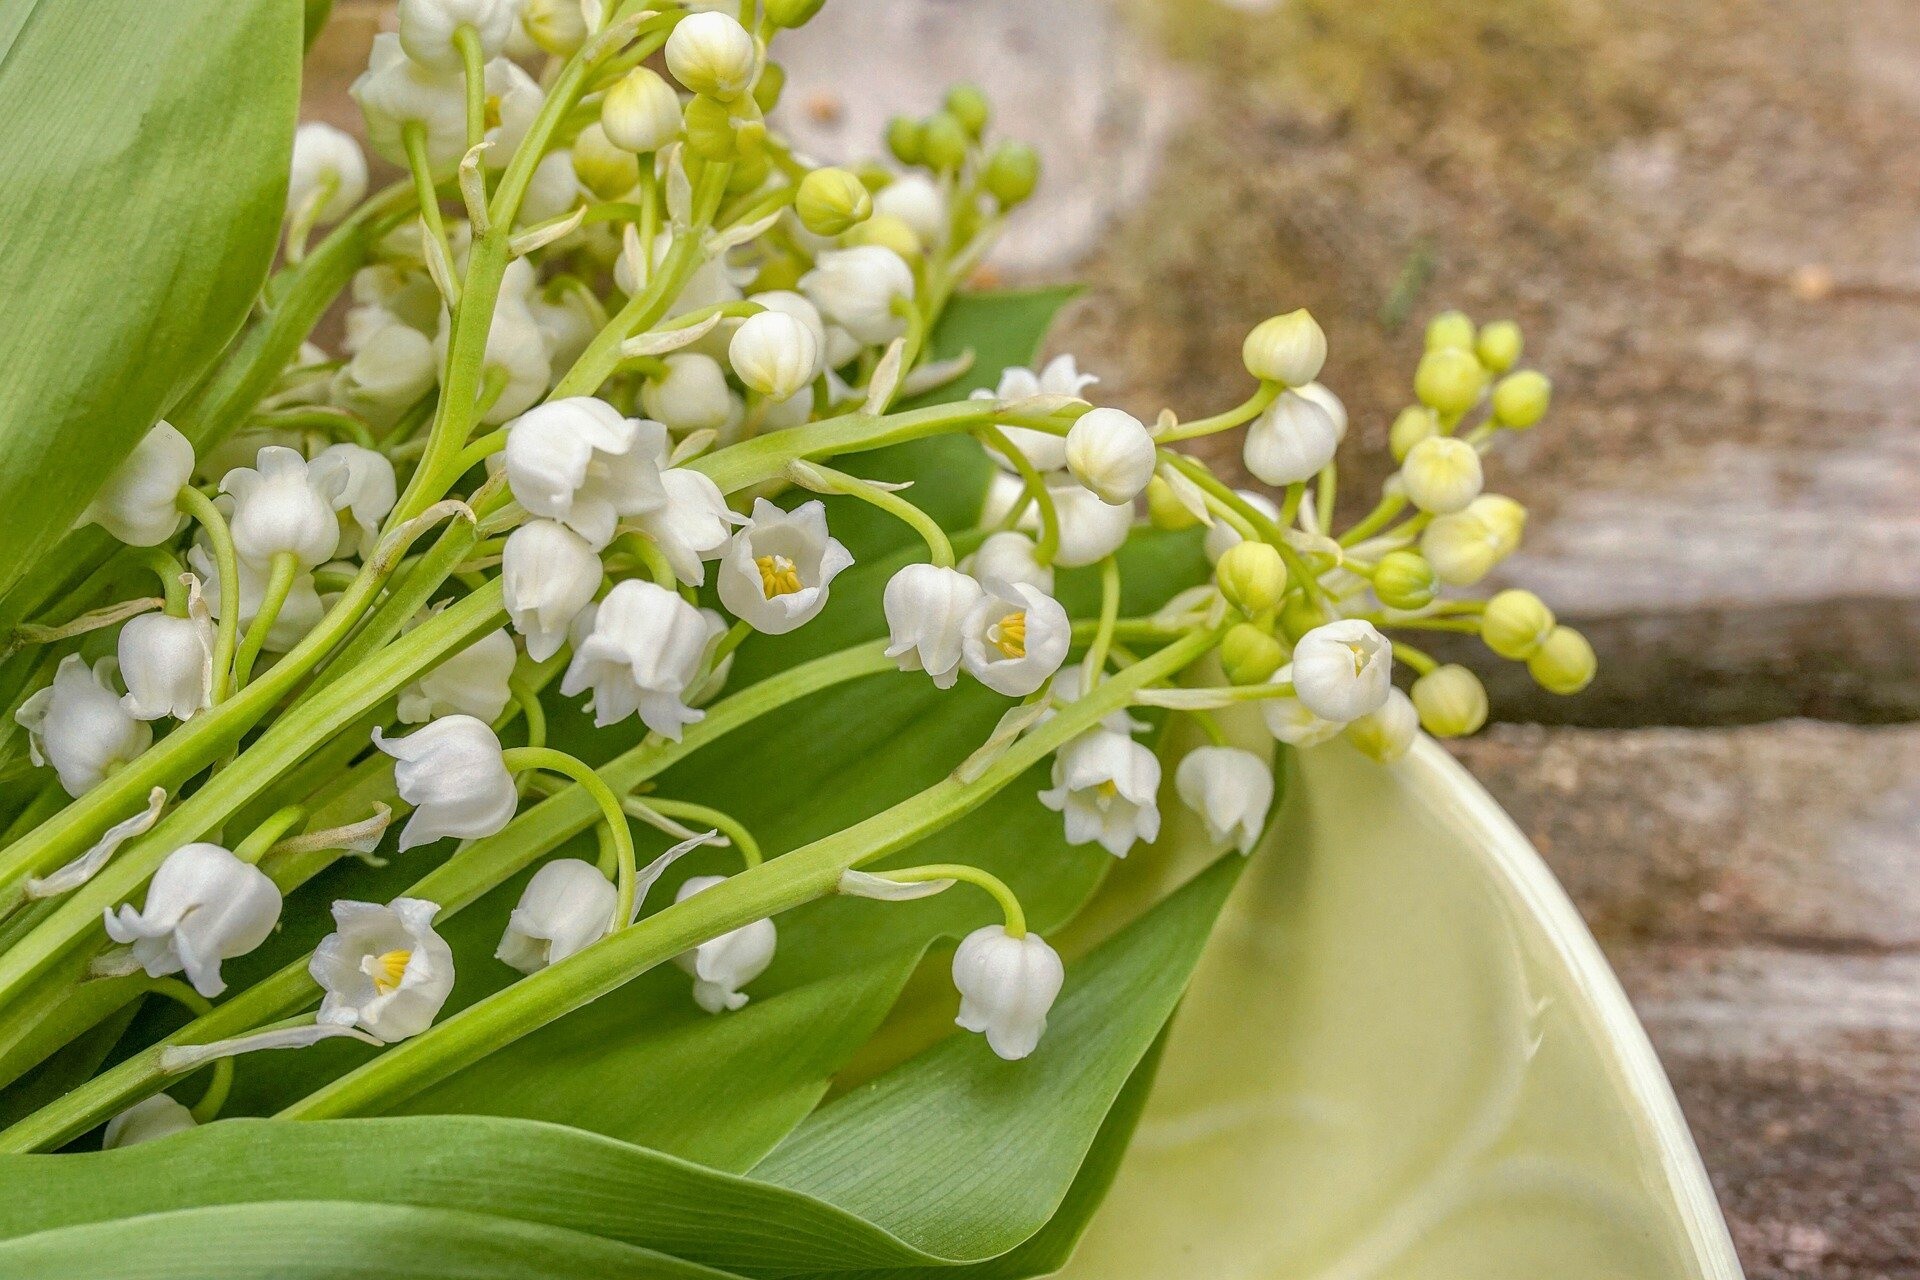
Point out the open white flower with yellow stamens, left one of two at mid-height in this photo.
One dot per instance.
(777, 571)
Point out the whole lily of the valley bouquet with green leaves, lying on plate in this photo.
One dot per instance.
(581, 724)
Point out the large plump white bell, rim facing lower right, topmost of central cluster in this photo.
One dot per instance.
(581, 463)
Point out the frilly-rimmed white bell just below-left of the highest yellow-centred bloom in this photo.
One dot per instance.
(644, 655)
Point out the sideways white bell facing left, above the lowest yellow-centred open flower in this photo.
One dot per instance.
(456, 780)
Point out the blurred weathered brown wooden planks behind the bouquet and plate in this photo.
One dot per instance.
(1708, 220)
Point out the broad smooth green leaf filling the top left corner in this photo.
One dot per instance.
(141, 183)
